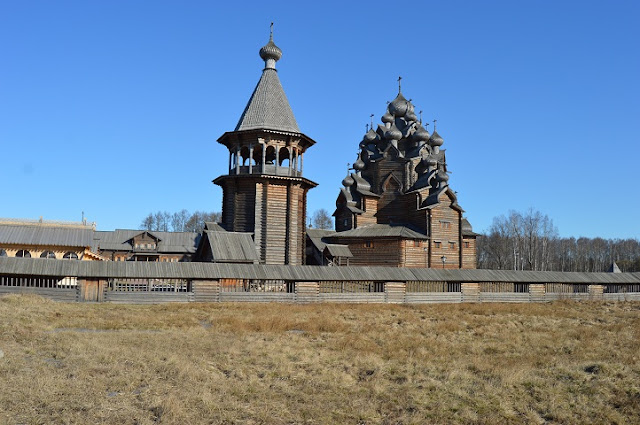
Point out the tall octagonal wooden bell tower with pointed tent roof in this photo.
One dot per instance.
(265, 193)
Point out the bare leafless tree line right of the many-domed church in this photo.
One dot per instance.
(530, 241)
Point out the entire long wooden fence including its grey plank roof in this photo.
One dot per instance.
(128, 282)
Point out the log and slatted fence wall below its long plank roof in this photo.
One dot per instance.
(153, 291)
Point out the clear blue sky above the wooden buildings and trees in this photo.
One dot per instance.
(114, 107)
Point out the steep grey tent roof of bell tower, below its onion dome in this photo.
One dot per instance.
(268, 107)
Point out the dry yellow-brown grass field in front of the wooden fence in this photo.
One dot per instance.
(569, 363)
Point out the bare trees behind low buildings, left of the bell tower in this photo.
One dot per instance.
(181, 221)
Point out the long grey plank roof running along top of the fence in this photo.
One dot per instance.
(11, 266)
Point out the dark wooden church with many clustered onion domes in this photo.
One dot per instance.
(396, 208)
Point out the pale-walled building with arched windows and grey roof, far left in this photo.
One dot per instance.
(47, 239)
